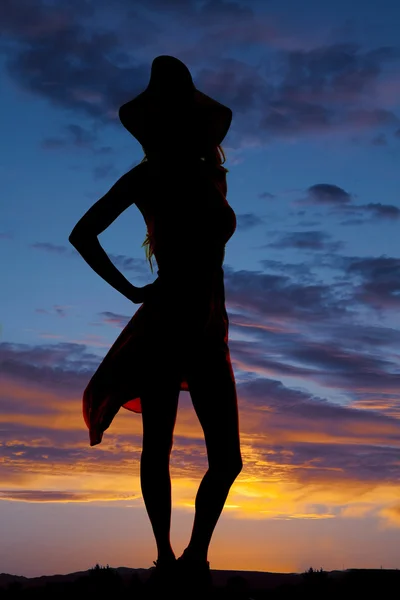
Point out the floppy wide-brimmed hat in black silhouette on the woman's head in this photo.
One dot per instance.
(172, 110)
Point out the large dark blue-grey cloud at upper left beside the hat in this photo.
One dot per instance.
(72, 67)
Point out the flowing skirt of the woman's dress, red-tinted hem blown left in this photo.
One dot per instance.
(163, 336)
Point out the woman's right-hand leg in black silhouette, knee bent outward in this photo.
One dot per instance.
(213, 393)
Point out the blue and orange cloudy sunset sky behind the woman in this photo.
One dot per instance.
(312, 277)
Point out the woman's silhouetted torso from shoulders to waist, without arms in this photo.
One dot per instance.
(188, 218)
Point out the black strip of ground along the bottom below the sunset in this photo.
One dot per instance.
(123, 583)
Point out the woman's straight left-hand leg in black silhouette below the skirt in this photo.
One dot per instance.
(159, 409)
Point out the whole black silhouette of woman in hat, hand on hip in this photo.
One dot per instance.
(178, 338)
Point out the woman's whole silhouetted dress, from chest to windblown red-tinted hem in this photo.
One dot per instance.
(187, 316)
